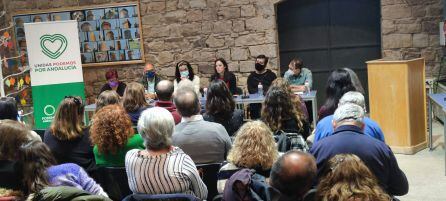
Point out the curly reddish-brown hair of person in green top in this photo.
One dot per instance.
(111, 129)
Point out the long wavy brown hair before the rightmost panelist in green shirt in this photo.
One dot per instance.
(278, 107)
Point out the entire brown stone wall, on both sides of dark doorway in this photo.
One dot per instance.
(238, 30)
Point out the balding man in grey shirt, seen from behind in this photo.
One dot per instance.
(203, 141)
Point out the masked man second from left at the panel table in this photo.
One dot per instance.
(149, 80)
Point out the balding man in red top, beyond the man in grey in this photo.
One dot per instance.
(164, 91)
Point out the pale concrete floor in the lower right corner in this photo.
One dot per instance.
(425, 171)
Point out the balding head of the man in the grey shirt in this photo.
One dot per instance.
(187, 103)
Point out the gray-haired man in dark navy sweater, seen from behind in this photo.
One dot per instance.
(348, 138)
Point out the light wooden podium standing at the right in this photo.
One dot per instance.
(397, 99)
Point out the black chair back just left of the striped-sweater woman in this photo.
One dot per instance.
(114, 181)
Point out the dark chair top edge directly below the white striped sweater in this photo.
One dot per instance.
(160, 197)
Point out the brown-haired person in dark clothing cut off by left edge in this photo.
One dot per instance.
(12, 135)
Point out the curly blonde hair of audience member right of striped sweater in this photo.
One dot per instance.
(254, 147)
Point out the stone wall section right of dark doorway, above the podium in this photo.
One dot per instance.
(410, 29)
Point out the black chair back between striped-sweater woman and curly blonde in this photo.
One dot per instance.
(208, 173)
